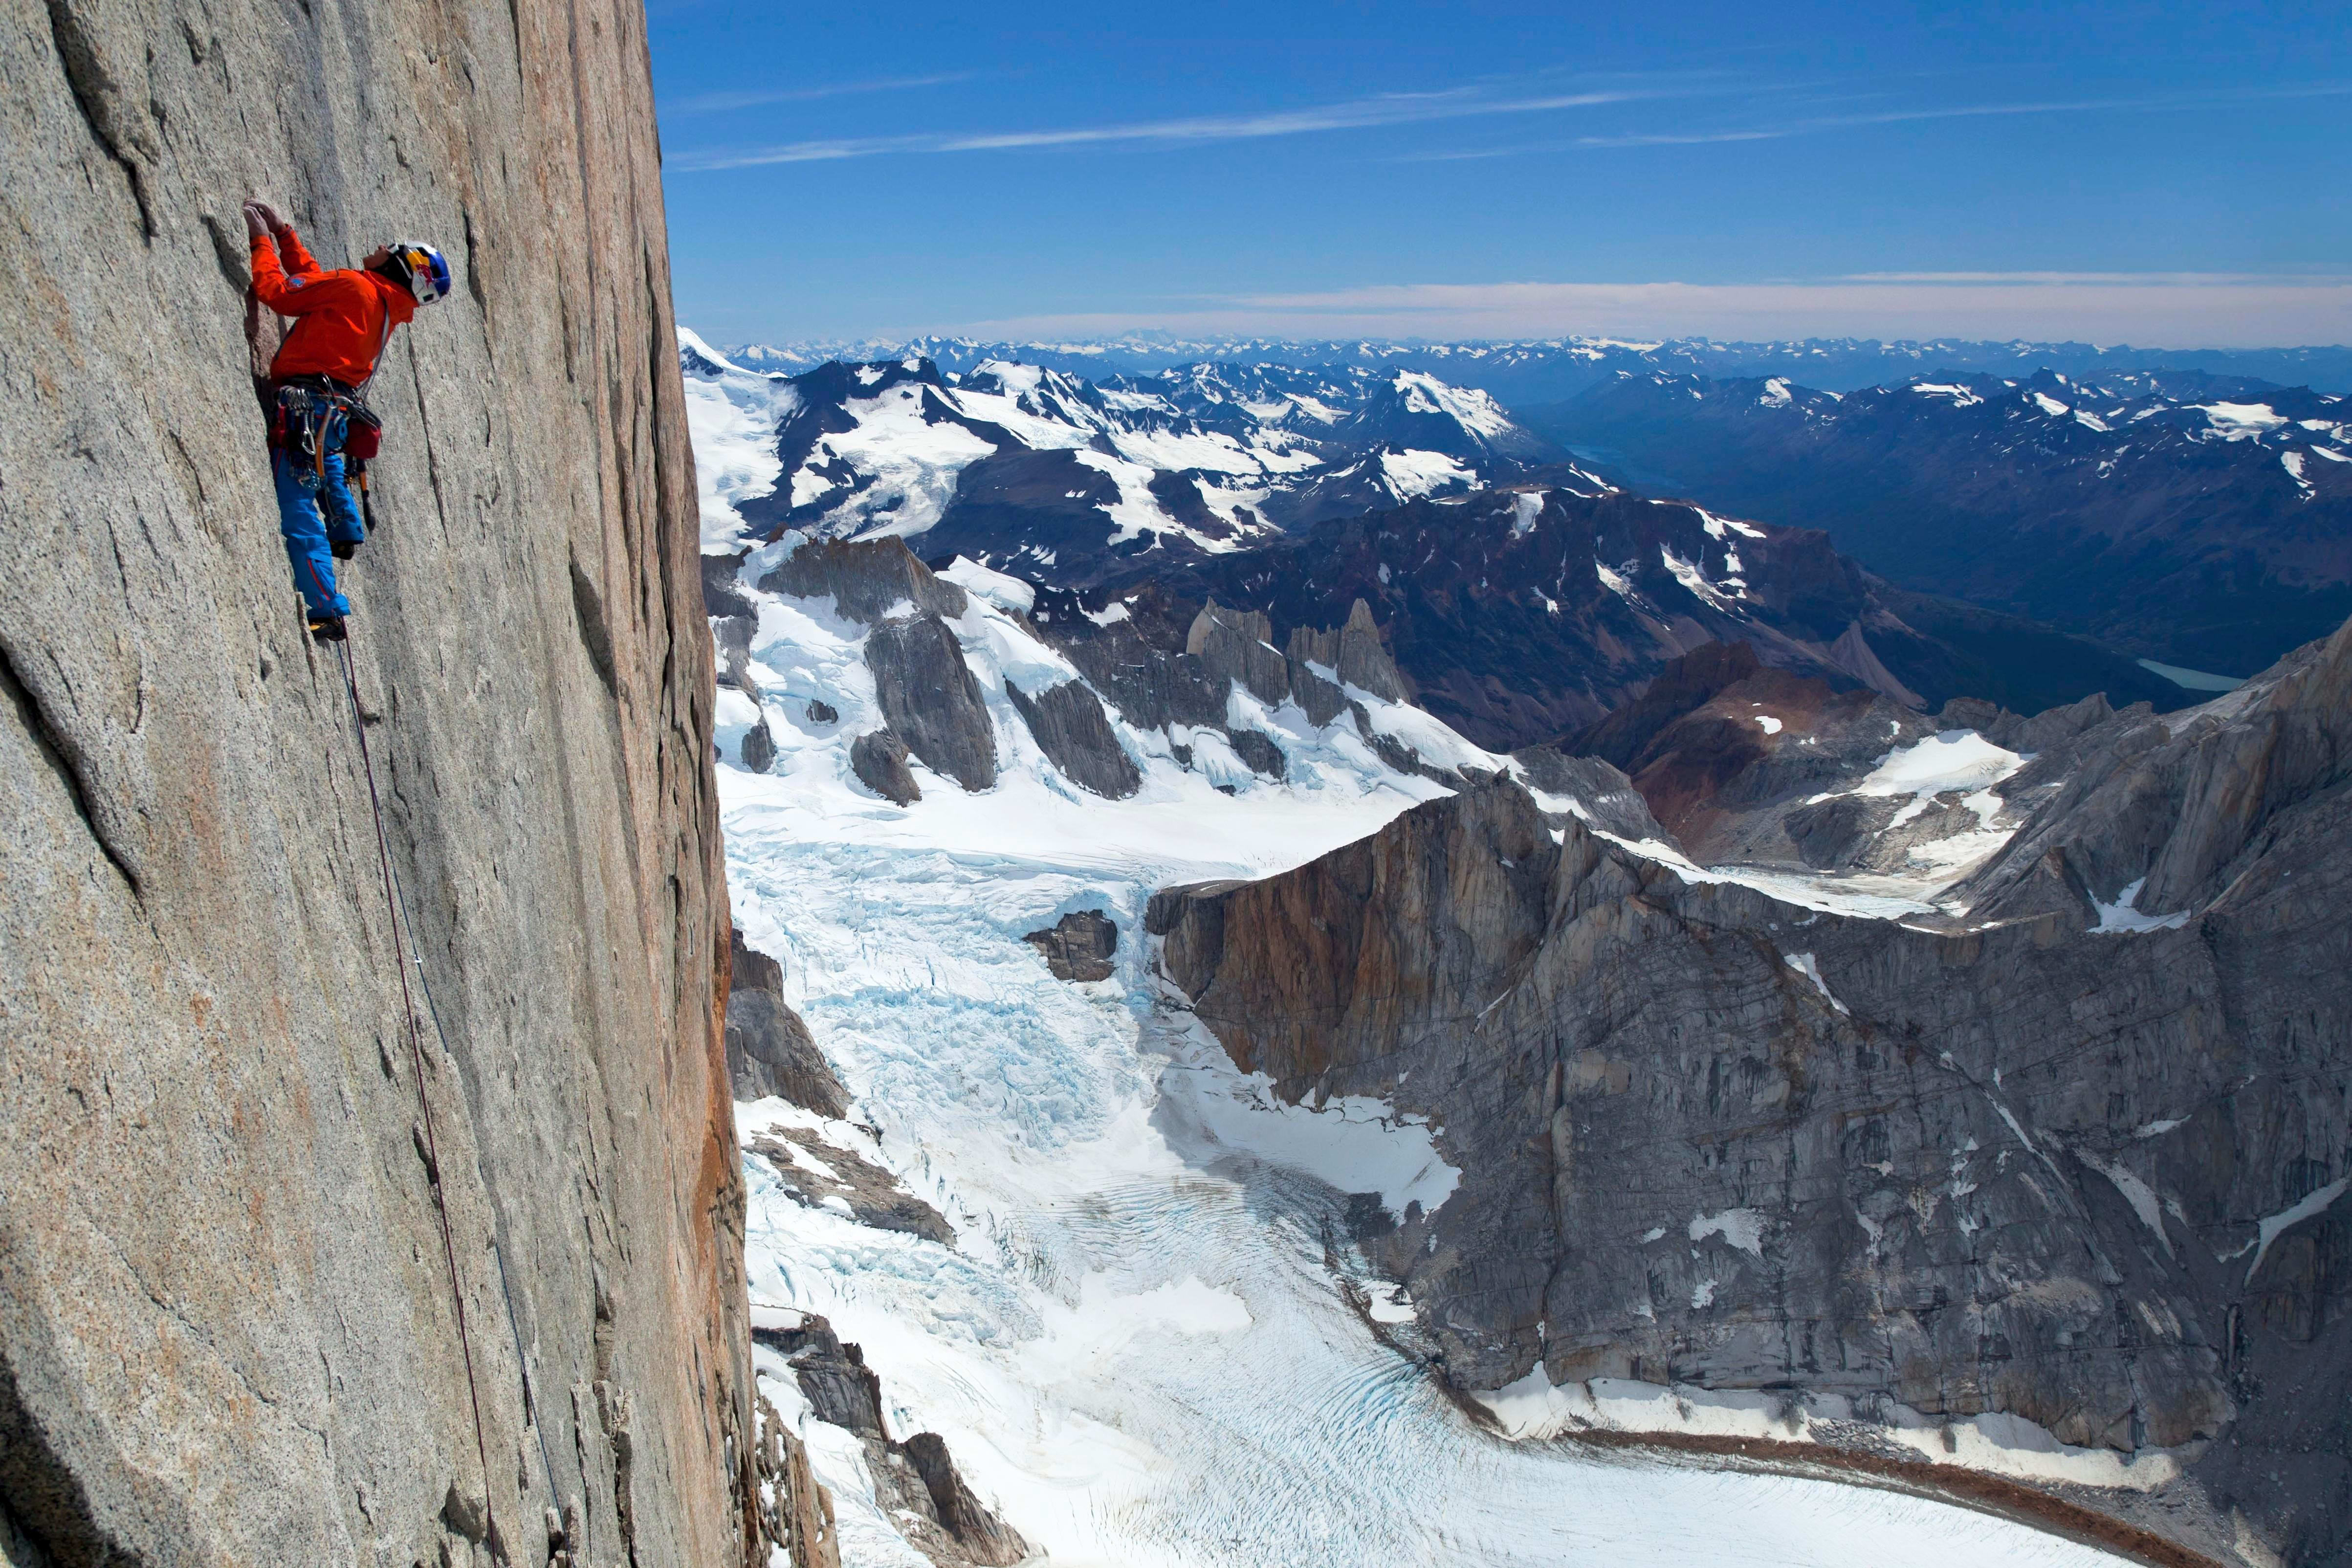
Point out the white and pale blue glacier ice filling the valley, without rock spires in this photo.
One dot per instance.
(1137, 1348)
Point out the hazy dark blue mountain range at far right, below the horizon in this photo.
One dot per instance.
(2189, 518)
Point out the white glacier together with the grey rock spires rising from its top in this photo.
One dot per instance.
(1109, 1268)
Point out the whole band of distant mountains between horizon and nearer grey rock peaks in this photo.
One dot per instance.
(1989, 537)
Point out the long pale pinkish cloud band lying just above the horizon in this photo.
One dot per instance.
(2149, 309)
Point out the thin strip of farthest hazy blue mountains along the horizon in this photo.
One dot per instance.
(1553, 370)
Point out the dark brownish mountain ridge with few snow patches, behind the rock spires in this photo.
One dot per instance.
(1528, 612)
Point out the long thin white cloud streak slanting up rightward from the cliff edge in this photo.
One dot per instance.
(1358, 114)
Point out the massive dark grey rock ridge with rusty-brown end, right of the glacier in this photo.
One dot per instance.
(2024, 1167)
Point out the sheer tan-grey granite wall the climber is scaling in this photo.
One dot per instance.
(227, 1315)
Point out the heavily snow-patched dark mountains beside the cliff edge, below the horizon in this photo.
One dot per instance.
(1064, 478)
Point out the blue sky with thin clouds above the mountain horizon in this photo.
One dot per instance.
(2116, 173)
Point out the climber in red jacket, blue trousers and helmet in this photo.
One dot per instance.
(319, 415)
